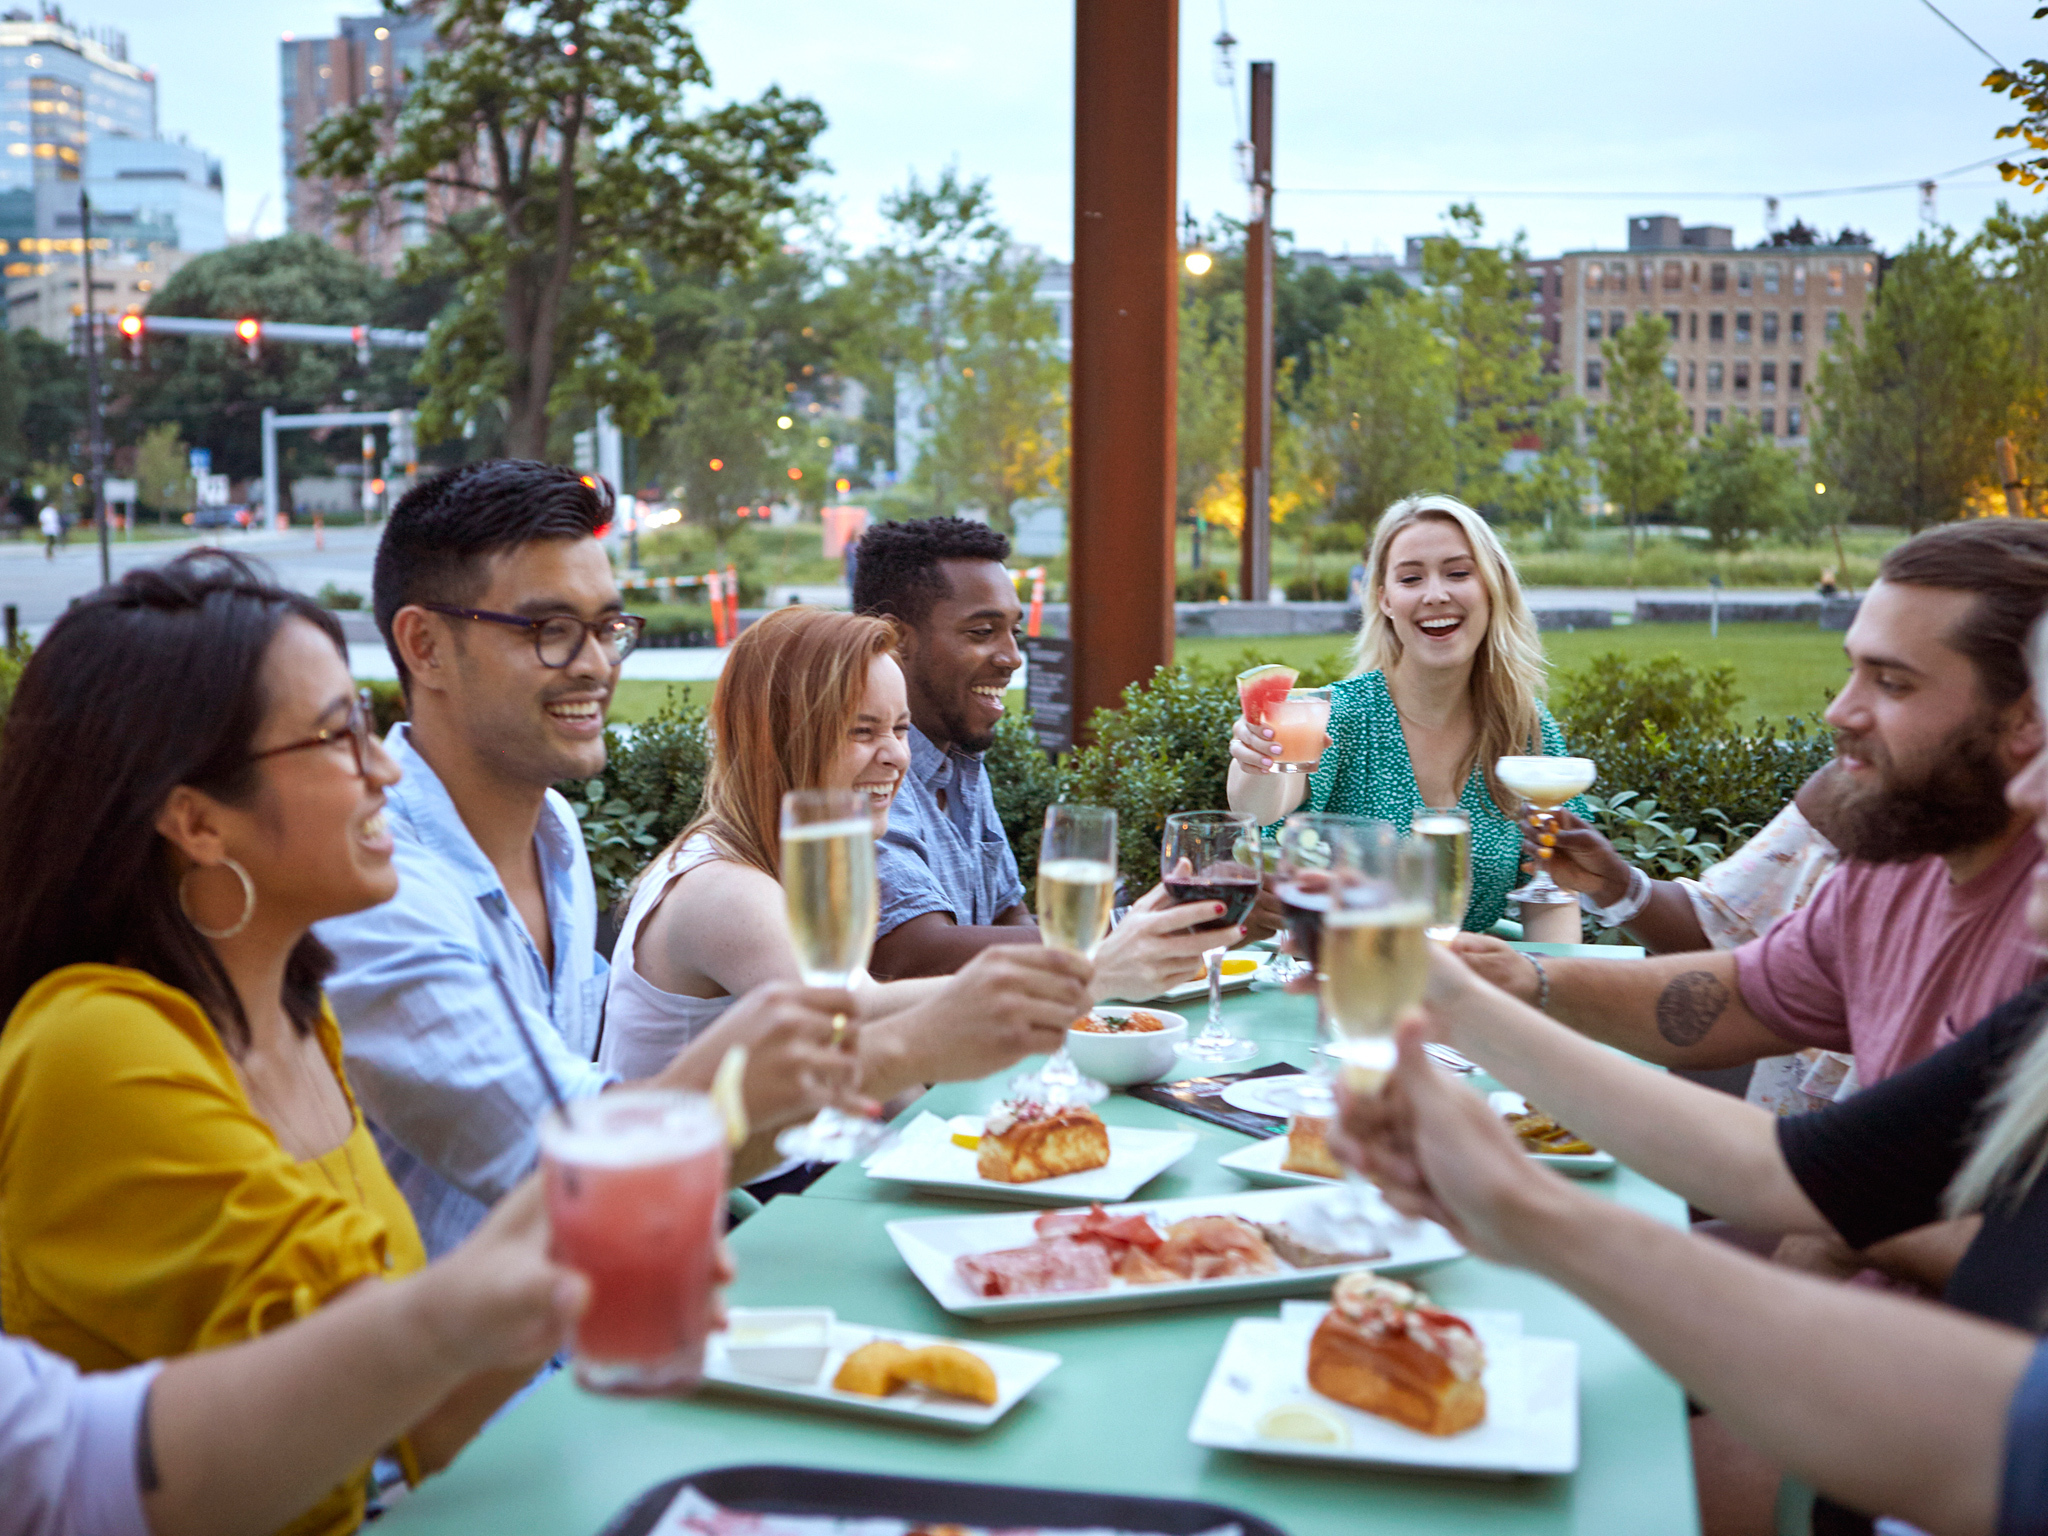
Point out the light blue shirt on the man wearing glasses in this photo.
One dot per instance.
(421, 986)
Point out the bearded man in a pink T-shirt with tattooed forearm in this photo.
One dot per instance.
(1922, 929)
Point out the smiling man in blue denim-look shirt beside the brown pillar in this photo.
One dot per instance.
(949, 878)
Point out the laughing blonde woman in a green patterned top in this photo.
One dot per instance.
(1449, 681)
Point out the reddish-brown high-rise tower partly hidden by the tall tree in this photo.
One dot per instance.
(372, 58)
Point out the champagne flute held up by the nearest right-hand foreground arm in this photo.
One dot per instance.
(1375, 968)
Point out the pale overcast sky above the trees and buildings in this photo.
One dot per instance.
(1619, 105)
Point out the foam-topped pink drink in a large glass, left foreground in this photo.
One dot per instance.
(636, 1187)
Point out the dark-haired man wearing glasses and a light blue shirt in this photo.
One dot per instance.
(501, 611)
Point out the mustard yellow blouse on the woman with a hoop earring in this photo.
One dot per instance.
(148, 1211)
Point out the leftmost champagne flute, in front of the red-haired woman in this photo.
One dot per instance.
(828, 884)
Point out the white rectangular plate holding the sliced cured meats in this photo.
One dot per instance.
(931, 1246)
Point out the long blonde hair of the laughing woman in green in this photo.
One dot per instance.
(1508, 669)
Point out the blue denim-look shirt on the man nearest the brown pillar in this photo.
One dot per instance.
(945, 849)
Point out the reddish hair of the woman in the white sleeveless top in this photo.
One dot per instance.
(785, 701)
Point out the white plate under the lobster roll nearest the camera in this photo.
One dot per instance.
(1533, 1402)
